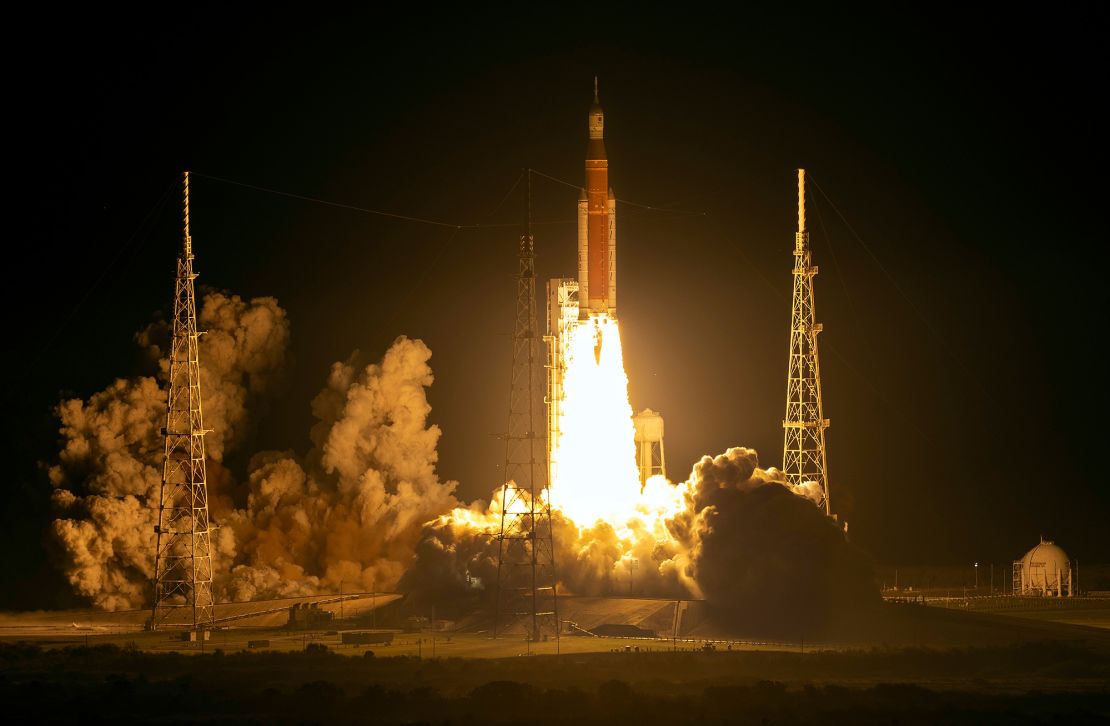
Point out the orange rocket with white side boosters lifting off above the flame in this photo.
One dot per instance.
(598, 226)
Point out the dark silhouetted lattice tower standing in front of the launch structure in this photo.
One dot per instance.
(527, 587)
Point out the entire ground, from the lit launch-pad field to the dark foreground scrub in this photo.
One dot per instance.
(905, 663)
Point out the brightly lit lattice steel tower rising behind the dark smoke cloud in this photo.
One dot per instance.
(805, 423)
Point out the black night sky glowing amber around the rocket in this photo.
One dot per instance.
(962, 307)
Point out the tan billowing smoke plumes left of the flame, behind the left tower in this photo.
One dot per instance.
(347, 515)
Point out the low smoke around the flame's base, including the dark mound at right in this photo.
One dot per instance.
(755, 548)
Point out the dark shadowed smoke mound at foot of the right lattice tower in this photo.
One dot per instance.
(763, 556)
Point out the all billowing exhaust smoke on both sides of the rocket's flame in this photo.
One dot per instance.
(365, 509)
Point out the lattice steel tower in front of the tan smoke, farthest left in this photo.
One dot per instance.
(184, 553)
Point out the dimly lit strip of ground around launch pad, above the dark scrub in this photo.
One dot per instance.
(894, 626)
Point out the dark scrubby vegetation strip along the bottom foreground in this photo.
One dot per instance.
(1032, 683)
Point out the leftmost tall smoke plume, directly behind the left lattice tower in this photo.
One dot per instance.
(108, 472)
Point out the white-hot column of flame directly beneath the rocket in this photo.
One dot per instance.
(597, 477)
